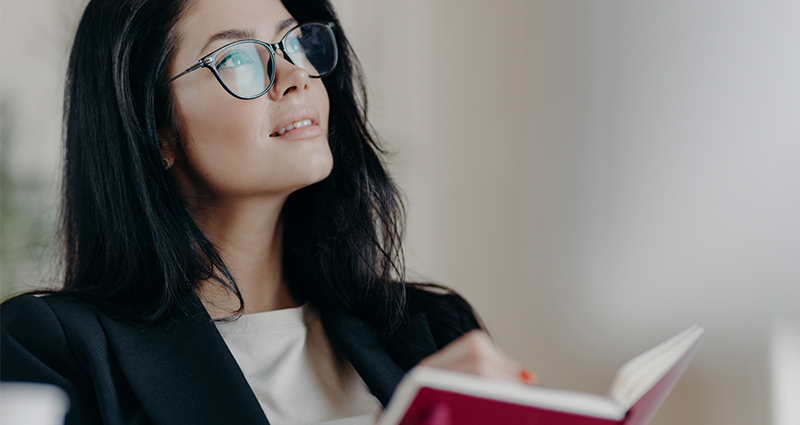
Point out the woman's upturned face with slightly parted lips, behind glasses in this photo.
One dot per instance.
(231, 147)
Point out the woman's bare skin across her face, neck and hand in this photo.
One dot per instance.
(235, 175)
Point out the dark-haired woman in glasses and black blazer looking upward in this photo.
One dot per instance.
(231, 238)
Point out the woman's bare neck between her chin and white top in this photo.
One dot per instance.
(248, 236)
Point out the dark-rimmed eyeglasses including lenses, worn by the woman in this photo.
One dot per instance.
(246, 68)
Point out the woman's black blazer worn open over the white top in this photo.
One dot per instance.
(183, 373)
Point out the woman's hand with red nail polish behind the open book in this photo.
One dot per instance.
(476, 354)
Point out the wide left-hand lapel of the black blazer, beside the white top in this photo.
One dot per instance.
(184, 372)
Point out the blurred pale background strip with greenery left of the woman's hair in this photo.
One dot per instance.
(33, 54)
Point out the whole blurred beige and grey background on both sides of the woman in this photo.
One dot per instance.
(593, 175)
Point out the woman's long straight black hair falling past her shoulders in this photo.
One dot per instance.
(130, 244)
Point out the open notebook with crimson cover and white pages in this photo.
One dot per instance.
(429, 396)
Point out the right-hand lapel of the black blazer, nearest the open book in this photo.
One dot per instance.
(359, 341)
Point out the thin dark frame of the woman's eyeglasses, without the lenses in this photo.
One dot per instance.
(209, 60)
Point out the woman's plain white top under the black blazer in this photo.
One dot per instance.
(293, 371)
